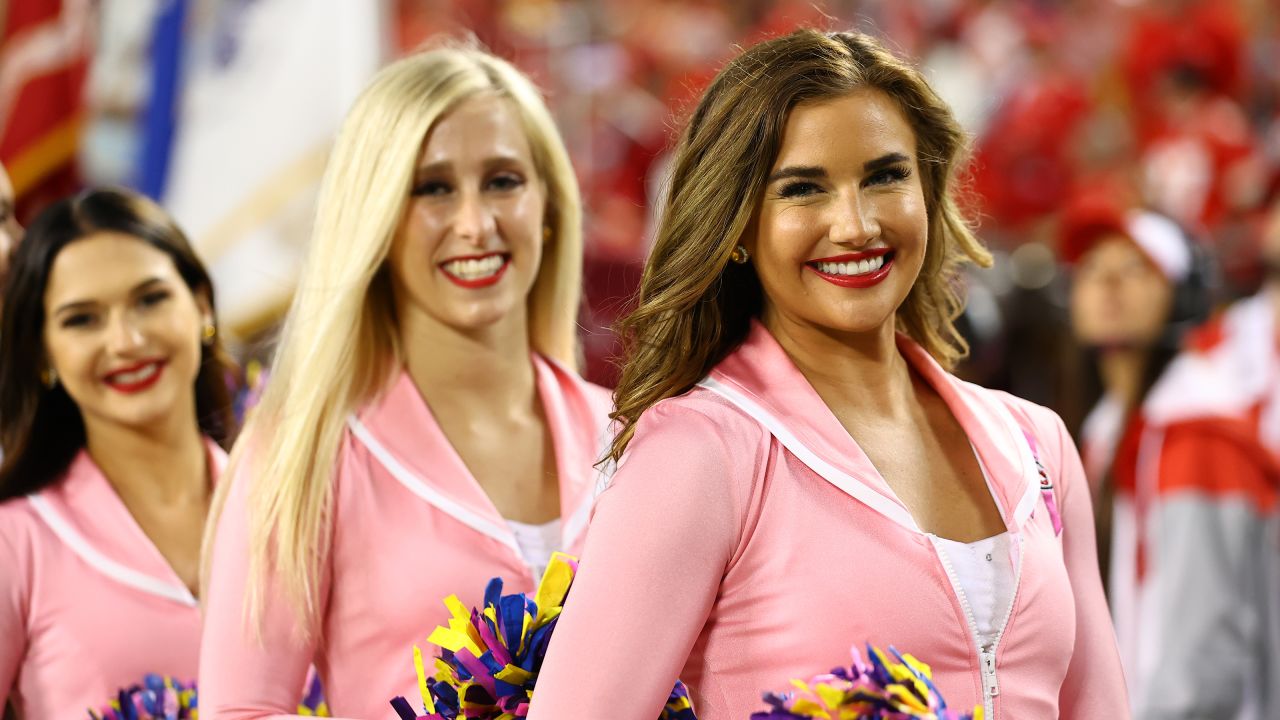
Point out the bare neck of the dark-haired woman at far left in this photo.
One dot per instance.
(167, 462)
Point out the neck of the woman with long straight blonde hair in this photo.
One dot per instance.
(470, 372)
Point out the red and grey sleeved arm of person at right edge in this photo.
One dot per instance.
(1209, 550)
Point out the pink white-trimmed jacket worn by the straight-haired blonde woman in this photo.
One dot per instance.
(410, 527)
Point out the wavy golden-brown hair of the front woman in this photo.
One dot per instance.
(694, 307)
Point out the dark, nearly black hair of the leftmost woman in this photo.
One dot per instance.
(42, 429)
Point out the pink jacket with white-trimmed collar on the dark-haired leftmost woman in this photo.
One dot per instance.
(88, 603)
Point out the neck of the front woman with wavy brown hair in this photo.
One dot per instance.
(865, 371)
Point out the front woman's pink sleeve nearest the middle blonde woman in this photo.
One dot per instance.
(661, 539)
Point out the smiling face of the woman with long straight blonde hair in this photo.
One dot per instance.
(469, 247)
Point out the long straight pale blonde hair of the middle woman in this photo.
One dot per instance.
(340, 344)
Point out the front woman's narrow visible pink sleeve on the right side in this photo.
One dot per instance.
(1095, 683)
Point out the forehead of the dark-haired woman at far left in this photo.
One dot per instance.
(106, 266)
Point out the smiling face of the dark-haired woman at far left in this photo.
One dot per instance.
(124, 331)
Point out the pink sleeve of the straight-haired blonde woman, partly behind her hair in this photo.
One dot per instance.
(245, 675)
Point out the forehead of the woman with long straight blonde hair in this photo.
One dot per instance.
(479, 129)
